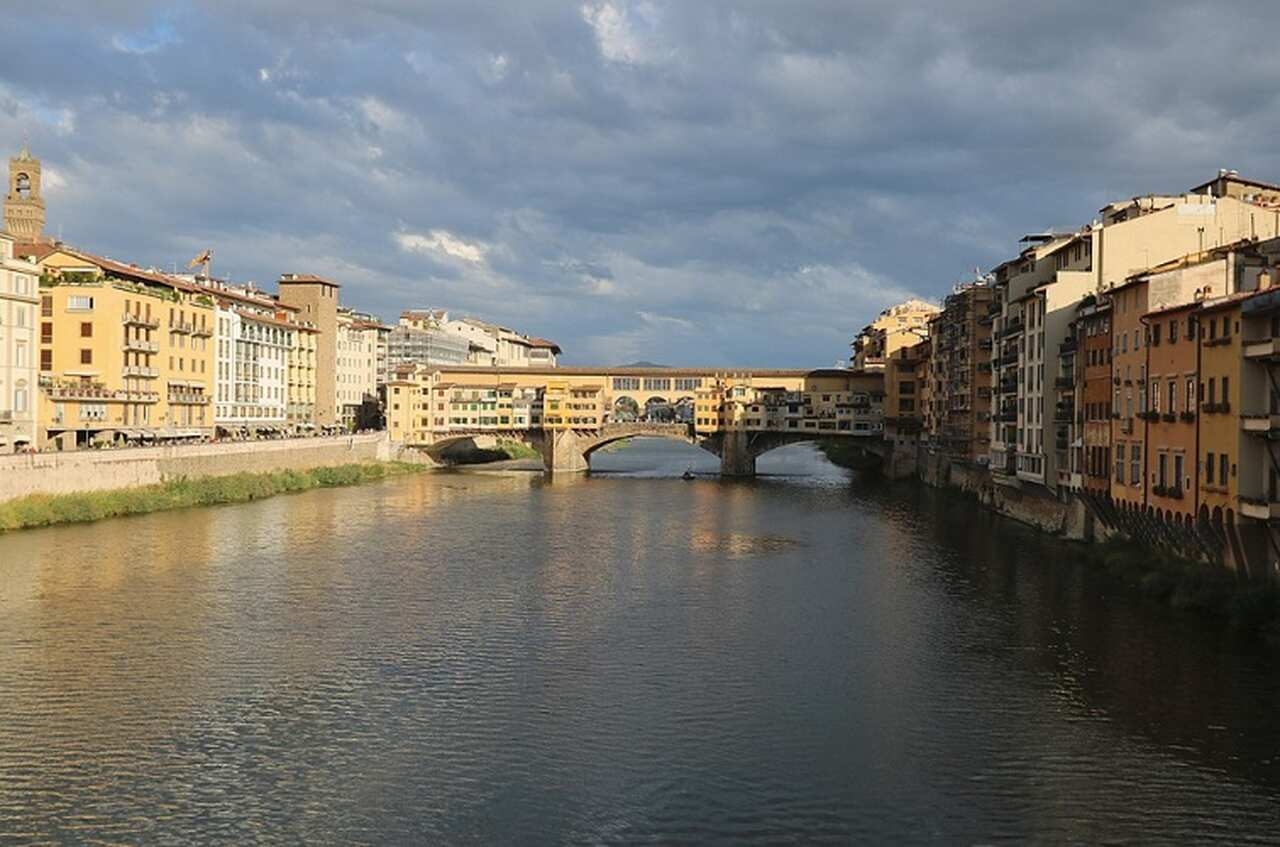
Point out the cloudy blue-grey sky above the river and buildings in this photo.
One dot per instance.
(692, 184)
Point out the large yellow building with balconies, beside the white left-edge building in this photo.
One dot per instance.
(125, 354)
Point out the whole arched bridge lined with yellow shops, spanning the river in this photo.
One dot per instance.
(570, 414)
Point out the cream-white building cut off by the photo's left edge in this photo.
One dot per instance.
(20, 297)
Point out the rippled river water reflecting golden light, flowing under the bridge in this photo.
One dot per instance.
(479, 658)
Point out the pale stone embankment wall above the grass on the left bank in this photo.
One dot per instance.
(54, 474)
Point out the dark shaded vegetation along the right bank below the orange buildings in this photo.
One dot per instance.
(1194, 587)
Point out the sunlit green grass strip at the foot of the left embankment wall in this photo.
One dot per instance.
(44, 510)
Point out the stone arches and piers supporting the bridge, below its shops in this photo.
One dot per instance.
(570, 451)
